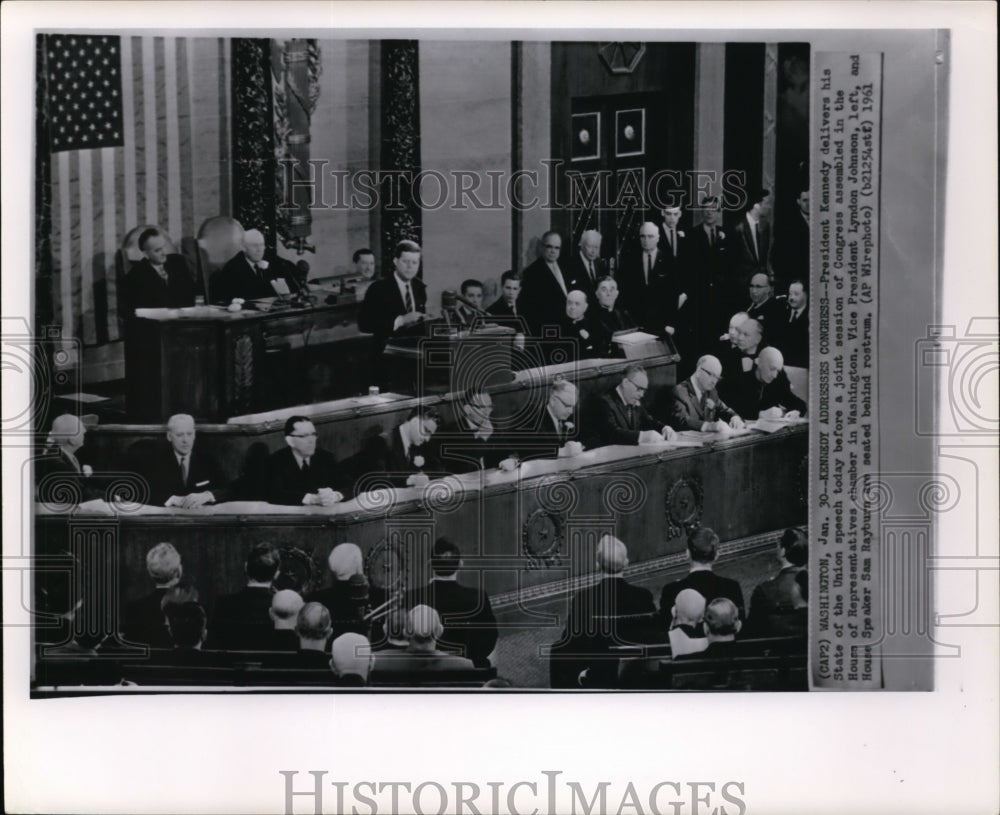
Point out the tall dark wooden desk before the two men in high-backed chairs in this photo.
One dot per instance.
(213, 364)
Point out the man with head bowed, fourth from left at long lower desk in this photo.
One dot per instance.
(404, 456)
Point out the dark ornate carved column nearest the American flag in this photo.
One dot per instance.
(253, 137)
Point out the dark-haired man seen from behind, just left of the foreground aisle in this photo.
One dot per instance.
(470, 628)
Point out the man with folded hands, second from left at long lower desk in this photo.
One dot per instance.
(181, 475)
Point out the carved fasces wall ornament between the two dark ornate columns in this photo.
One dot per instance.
(295, 72)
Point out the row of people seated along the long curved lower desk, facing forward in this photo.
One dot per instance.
(181, 474)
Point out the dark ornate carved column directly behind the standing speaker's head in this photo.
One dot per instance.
(401, 217)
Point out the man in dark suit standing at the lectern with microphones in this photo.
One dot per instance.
(395, 302)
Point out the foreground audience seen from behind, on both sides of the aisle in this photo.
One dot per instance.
(443, 628)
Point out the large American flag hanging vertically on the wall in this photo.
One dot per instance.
(158, 154)
